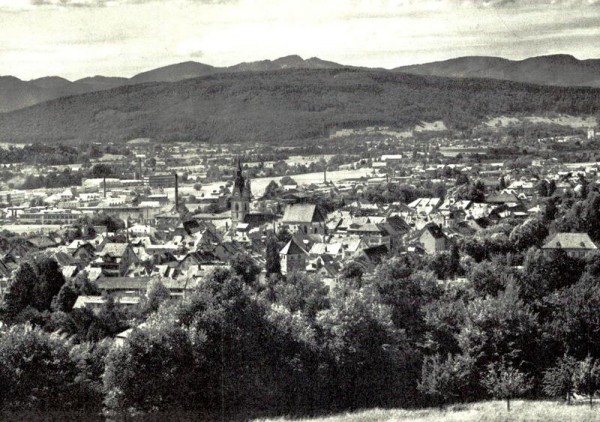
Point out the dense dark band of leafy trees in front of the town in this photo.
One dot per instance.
(494, 317)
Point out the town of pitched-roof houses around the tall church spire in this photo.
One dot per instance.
(173, 212)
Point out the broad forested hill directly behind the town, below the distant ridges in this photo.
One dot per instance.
(284, 105)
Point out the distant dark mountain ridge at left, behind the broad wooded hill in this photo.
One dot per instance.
(17, 94)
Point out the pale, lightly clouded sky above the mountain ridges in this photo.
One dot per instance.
(80, 38)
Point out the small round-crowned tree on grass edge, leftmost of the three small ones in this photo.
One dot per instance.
(503, 381)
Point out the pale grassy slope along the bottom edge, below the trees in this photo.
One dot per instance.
(493, 411)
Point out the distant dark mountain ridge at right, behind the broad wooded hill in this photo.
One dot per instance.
(557, 70)
